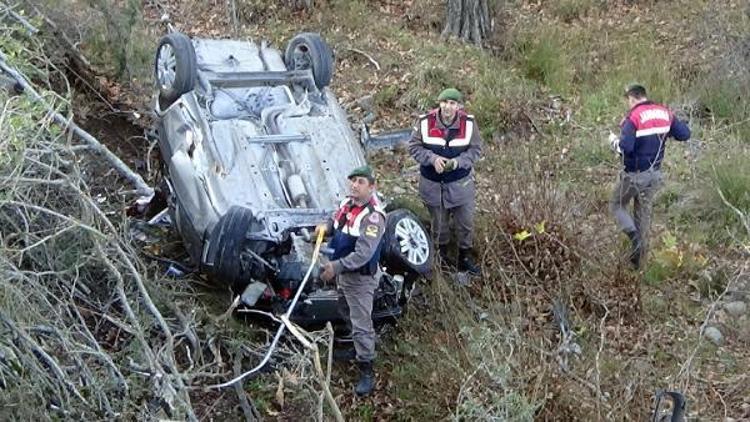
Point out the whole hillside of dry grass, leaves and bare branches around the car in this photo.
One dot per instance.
(558, 327)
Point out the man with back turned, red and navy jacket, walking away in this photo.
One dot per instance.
(642, 141)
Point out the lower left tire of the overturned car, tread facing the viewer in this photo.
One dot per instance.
(227, 241)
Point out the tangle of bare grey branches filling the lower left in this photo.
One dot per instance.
(88, 330)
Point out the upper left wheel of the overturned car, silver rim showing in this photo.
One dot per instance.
(175, 67)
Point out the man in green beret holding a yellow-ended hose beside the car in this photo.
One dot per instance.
(358, 228)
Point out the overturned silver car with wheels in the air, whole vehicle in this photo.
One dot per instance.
(256, 150)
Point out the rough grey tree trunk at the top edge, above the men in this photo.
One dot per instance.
(468, 20)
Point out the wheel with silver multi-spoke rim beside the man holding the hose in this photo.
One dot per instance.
(407, 246)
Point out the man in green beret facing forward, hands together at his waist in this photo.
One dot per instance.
(446, 144)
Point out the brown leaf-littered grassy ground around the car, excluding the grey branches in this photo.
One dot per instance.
(545, 91)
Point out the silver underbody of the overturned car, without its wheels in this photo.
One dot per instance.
(256, 135)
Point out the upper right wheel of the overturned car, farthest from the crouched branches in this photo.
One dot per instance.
(309, 51)
